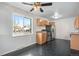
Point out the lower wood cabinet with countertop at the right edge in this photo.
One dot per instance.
(74, 43)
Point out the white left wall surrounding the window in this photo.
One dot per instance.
(7, 42)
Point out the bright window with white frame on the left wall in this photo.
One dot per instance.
(21, 25)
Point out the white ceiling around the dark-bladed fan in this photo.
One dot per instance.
(66, 9)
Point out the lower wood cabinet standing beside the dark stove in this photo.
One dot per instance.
(41, 37)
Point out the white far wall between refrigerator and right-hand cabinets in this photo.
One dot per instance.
(64, 27)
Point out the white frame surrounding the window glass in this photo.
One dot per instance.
(22, 34)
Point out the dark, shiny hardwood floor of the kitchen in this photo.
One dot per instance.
(56, 47)
